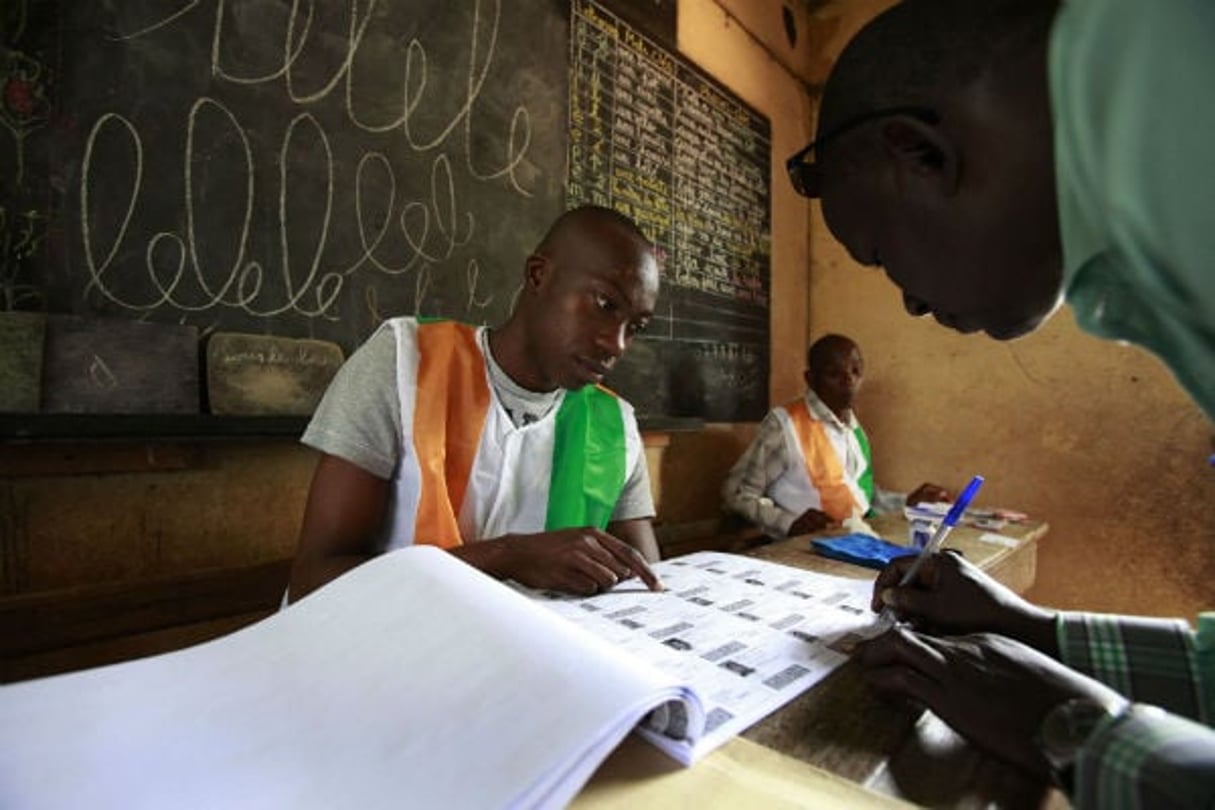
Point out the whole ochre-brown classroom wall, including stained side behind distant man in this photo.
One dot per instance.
(1093, 438)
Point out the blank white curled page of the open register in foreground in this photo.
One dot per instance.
(414, 681)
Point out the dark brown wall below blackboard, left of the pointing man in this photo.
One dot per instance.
(120, 550)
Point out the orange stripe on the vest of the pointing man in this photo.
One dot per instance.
(451, 400)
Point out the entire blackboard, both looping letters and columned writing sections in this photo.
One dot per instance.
(308, 169)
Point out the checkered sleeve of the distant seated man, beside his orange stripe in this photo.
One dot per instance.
(745, 488)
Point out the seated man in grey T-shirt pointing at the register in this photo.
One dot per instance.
(498, 445)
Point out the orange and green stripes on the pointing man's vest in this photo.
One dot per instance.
(453, 398)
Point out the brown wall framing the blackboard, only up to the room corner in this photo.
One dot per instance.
(118, 524)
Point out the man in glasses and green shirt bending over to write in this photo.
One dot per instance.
(997, 162)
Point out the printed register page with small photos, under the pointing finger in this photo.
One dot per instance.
(748, 636)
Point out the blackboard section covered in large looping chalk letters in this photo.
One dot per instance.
(303, 169)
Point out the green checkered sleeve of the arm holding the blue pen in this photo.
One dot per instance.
(1162, 662)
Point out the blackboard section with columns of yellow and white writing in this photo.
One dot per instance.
(663, 143)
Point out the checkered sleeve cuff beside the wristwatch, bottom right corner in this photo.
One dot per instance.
(1146, 760)
